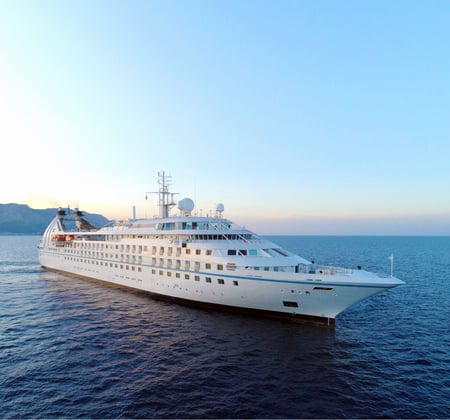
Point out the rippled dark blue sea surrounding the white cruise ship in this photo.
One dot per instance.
(70, 348)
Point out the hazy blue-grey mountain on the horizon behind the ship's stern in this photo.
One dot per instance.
(22, 219)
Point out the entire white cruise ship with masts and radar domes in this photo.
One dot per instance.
(204, 261)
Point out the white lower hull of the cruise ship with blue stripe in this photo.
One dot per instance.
(289, 295)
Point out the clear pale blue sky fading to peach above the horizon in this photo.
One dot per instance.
(301, 117)
